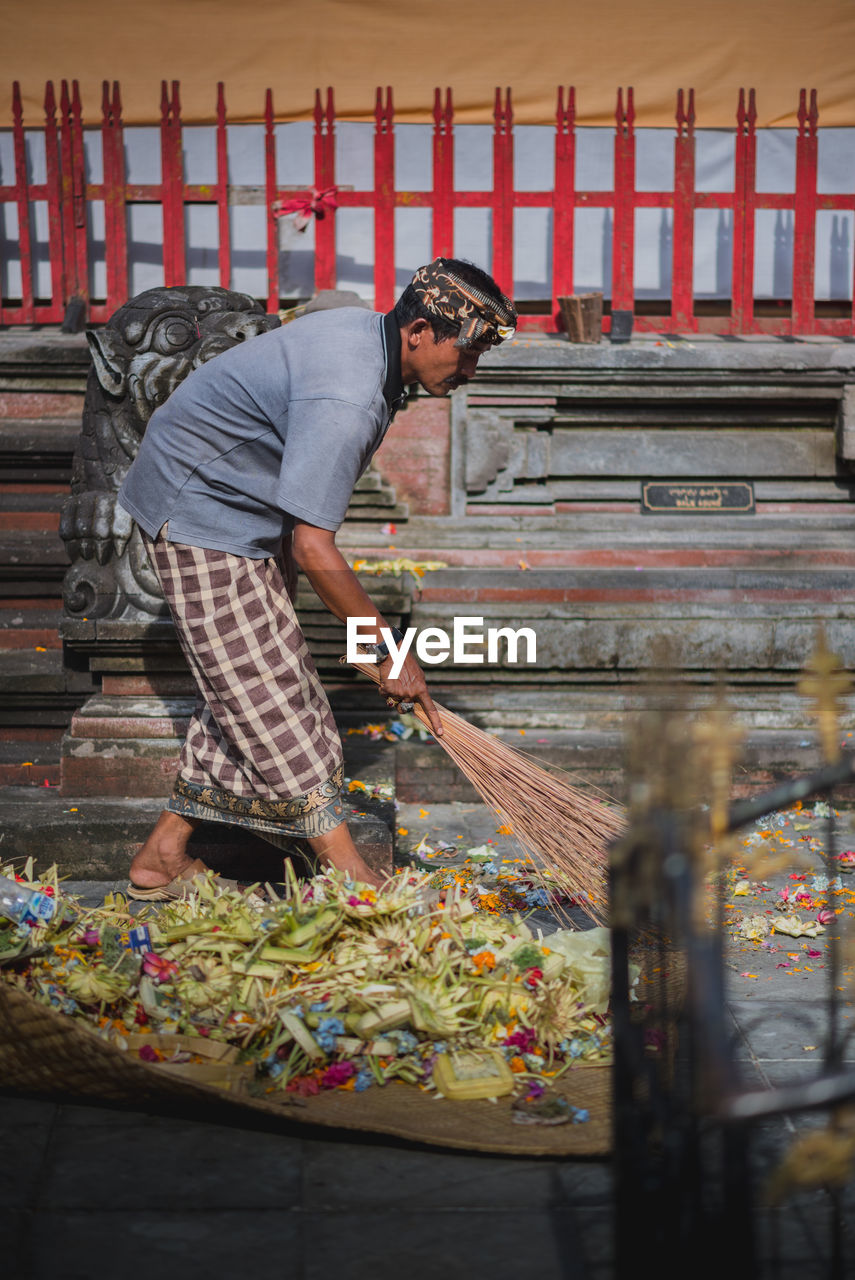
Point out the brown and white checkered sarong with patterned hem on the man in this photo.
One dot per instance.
(263, 749)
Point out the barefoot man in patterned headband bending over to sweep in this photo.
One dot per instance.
(244, 477)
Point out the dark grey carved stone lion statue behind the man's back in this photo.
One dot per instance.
(147, 349)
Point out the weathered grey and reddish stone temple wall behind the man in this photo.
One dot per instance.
(531, 488)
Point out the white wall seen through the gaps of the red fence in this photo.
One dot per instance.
(534, 171)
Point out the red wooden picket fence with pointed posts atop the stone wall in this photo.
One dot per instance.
(67, 195)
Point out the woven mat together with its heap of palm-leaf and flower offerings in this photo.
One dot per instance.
(336, 1003)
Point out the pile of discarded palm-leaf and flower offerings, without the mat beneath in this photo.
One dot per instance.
(328, 986)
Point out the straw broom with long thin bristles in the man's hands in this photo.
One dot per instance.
(565, 830)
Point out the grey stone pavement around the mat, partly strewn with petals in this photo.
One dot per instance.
(89, 1192)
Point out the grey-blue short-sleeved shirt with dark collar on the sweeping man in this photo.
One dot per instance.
(282, 426)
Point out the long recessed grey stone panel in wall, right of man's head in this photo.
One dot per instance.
(600, 444)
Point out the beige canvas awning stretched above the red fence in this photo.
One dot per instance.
(295, 47)
